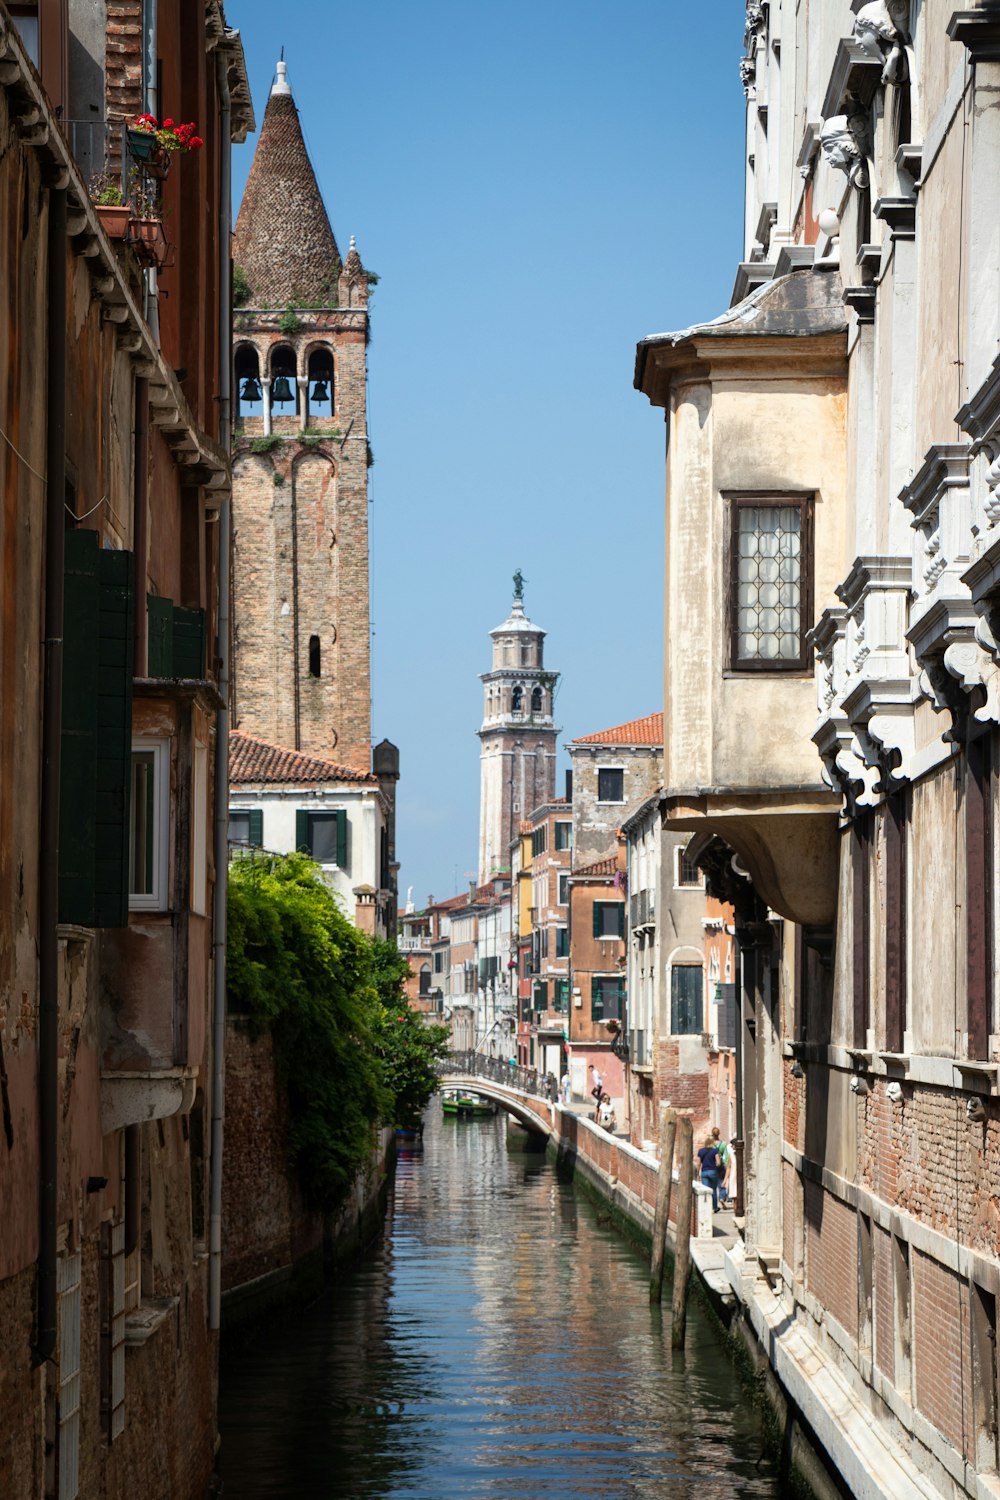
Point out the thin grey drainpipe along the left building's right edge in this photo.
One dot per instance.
(223, 719)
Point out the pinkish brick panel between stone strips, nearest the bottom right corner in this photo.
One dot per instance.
(942, 1345)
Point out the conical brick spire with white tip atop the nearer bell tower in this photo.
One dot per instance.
(284, 242)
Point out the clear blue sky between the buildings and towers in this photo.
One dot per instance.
(539, 187)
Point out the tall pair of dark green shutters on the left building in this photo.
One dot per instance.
(94, 829)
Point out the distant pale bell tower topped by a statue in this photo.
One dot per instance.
(518, 736)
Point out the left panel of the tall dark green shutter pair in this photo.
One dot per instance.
(79, 770)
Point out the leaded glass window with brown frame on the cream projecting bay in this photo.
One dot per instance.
(770, 586)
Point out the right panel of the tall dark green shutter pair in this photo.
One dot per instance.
(115, 739)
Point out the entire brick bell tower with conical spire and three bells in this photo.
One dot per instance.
(302, 658)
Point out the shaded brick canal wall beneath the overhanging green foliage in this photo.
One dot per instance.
(275, 1247)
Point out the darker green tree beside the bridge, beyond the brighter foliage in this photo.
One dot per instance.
(409, 1046)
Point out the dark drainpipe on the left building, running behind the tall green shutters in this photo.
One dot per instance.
(52, 737)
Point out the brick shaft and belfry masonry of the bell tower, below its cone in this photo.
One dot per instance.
(302, 569)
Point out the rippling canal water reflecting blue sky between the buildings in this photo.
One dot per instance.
(497, 1343)
